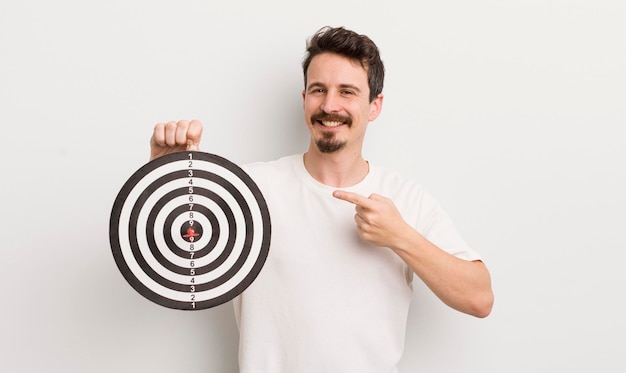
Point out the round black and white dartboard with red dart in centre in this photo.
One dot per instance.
(190, 230)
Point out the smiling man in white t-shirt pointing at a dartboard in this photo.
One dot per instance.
(347, 236)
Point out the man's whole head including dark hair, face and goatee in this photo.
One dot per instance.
(343, 80)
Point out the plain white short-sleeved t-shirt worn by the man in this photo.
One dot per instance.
(327, 301)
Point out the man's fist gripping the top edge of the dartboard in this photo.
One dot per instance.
(173, 136)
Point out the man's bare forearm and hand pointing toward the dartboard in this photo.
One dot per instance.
(461, 284)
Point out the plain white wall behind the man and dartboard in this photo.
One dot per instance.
(510, 112)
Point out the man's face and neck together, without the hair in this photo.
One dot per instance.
(338, 108)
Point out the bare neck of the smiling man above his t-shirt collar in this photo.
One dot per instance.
(340, 169)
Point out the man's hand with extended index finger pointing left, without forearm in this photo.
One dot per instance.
(377, 219)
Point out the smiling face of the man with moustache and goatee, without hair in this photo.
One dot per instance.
(336, 103)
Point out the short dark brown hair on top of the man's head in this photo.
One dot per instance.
(351, 45)
